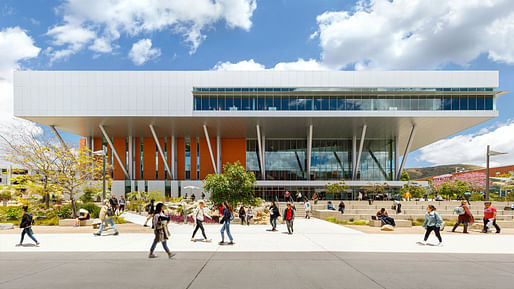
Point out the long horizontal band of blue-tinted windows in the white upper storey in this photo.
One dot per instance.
(339, 99)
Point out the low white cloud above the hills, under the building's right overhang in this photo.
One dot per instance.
(471, 148)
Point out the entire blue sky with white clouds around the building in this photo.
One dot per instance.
(257, 34)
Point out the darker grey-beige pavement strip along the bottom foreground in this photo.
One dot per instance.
(251, 270)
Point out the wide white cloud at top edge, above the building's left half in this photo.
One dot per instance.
(108, 19)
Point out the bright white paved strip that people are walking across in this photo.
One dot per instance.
(311, 235)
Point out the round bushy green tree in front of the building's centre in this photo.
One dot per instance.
(235, 185)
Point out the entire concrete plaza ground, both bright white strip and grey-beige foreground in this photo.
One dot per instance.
(318, 255)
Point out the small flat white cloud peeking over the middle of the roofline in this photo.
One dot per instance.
(251, 65)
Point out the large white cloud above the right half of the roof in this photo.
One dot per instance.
(407, 34)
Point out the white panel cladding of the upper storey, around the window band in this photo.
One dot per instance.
(169, 93)
